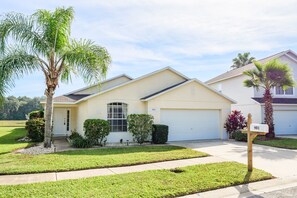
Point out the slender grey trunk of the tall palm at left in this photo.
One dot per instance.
(48, 118)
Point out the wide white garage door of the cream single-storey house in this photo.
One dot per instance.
(191, 124)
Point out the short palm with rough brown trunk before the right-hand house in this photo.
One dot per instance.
(267, 76)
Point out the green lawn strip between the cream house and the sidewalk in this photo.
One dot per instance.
(82, 159)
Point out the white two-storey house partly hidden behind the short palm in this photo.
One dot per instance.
(249, 100)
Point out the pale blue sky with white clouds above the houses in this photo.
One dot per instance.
(197, 38)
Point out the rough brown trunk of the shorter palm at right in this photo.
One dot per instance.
(269, 113)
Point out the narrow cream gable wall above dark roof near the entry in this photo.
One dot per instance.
(104, 86)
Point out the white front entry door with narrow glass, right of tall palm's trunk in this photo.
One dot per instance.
(61, 122)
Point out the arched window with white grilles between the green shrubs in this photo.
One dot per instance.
(117, 116)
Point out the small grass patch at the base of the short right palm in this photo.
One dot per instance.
(288, 143)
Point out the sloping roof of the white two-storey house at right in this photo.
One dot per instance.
(239, 71)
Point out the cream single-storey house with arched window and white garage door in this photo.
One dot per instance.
(191, 109)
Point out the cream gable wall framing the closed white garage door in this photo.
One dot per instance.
(191, 96)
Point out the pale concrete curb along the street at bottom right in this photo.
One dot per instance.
(253, 190)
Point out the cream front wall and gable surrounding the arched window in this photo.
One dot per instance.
(130, 94)
